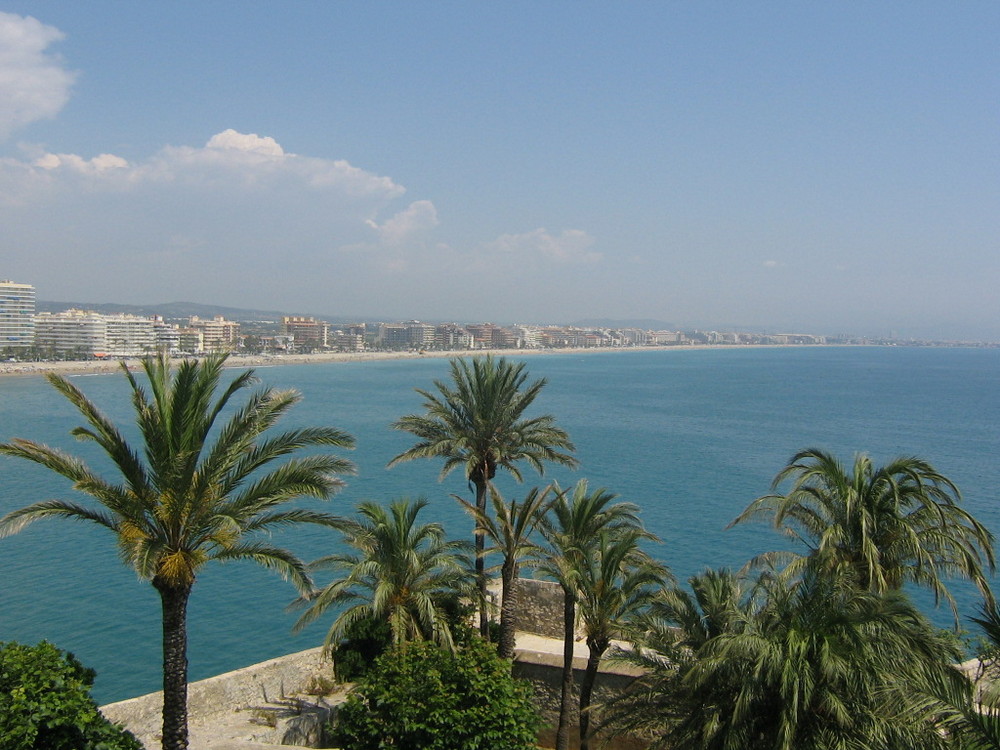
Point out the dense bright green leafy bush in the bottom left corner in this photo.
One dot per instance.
(45, 703)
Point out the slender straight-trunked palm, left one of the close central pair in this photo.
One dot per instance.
(571, 527)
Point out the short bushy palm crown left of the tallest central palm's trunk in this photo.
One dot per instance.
(402, 572)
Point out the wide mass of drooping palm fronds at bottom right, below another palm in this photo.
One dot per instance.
(810, 664)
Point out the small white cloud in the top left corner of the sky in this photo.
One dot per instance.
(34, 85)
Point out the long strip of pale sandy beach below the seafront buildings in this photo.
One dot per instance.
(29, 369)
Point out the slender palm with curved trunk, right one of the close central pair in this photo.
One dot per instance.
(616, 583)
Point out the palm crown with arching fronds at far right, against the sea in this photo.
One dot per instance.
(880, 526)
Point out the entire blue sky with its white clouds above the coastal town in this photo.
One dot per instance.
(793, 166)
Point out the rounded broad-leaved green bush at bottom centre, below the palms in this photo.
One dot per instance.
(422, 697)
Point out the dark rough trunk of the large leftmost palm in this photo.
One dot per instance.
(173, 600)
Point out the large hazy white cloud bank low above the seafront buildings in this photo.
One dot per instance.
(241, 218)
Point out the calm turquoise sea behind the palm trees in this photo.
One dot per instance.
(691, 436)
